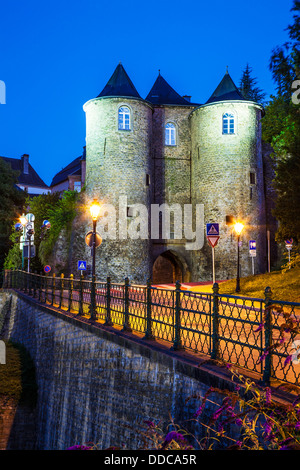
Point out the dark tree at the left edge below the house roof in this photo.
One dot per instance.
(12, 200)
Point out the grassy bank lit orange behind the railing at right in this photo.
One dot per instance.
(285, 286)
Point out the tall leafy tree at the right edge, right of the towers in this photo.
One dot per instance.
(281, 128)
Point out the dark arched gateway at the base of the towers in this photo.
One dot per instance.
(169, 267)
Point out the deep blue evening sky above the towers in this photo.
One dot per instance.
(57, 55)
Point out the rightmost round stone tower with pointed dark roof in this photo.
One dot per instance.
(227, 177)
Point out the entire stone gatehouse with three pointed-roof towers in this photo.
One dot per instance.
(167, 149)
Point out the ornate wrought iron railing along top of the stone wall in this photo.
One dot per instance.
(238, 330)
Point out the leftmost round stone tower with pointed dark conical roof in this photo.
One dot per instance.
(118, 143)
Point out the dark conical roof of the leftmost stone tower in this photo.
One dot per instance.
(119, 84)
